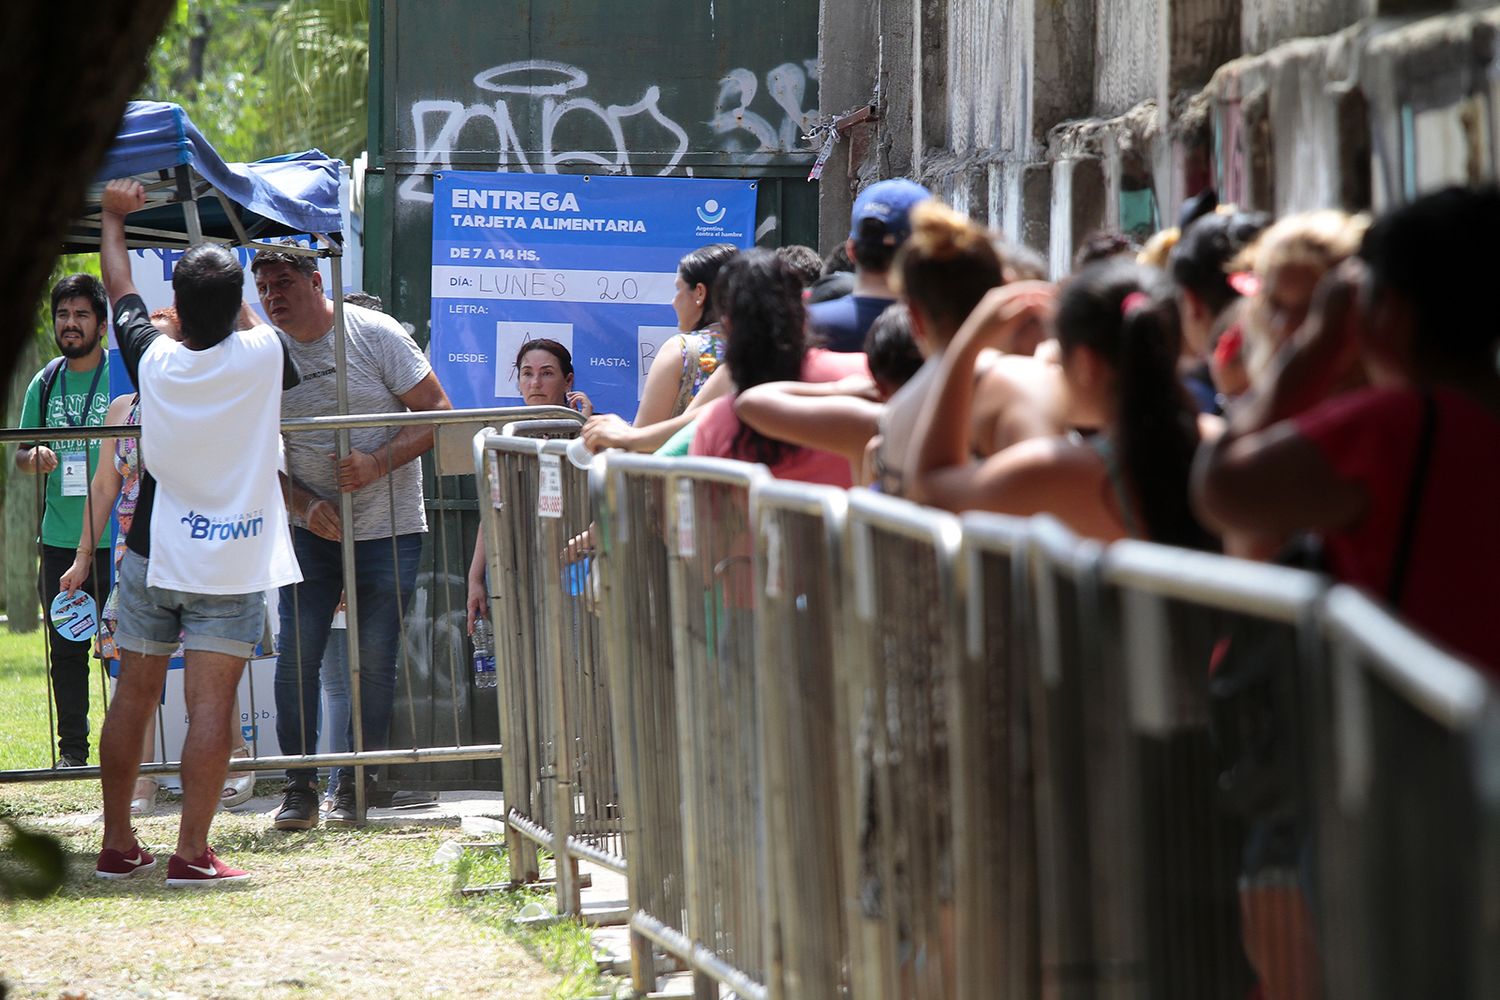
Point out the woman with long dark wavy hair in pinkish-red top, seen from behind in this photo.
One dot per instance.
(761, 307)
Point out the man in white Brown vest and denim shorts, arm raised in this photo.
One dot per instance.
(209, 534)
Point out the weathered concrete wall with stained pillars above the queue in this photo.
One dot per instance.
(1051, 119)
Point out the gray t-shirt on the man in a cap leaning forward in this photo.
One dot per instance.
(385, 362)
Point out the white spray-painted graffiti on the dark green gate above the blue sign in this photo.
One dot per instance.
(745, 118)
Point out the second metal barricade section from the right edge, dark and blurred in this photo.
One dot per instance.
(1193, 708)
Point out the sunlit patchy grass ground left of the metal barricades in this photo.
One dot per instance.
(328, 914)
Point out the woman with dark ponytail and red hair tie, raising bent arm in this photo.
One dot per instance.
(1120, 340)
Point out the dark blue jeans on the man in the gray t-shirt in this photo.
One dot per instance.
(383, 590)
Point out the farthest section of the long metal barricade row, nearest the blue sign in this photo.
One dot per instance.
(560, 765)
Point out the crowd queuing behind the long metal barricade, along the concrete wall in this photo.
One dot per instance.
(1241, 385)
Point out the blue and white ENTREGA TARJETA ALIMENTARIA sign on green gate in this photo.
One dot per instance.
(587, 262)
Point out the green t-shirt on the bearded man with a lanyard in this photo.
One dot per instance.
(64, 516)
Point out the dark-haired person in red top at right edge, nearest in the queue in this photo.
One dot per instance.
(1417, 457)
